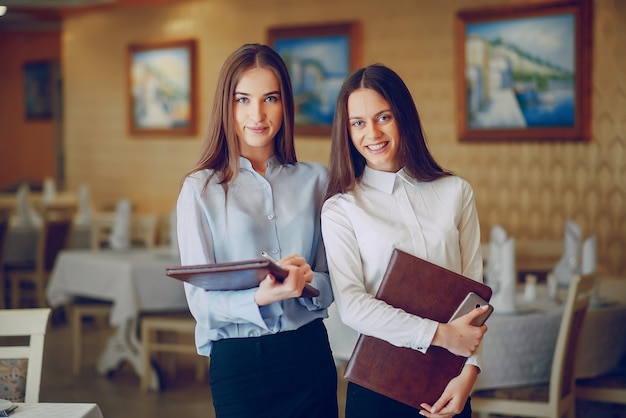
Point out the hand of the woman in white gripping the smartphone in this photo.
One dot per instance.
(460, 337)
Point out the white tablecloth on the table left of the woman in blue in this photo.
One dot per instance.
(134, 280)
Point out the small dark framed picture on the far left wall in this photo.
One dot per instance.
(38, 90)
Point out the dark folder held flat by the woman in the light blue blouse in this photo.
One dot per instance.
(235, 275)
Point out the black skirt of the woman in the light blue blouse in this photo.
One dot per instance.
(289, 374)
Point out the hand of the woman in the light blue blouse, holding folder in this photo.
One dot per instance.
(271, 290)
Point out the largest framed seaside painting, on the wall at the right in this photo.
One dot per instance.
(524, 72)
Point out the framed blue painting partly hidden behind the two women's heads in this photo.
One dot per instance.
(319, 58)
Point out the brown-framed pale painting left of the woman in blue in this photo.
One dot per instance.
(162, 88)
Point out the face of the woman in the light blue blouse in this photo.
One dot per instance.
(258, 111)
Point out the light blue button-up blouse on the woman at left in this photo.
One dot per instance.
(278, 213)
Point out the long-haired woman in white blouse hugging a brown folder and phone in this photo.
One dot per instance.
(386, 191)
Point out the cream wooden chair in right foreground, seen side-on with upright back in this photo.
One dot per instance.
(558, 397)
